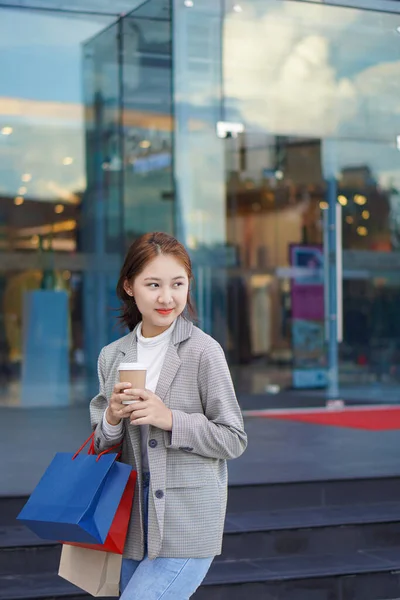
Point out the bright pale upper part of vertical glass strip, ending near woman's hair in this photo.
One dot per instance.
(197, 89)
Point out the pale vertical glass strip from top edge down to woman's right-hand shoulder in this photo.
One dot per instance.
(199, 155)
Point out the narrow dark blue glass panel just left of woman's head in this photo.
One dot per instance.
(102, 211)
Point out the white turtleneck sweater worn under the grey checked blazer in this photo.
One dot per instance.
(151, 352)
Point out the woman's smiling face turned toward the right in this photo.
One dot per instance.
(160, 293)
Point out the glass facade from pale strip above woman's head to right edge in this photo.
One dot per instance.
(314, 89)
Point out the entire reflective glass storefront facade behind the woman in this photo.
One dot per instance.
(232, 125)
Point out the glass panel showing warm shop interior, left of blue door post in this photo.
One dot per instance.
(275, 193)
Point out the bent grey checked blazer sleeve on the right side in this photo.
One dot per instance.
(219, 432)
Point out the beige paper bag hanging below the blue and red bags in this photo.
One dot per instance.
(94, 571)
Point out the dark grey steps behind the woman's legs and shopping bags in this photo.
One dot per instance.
(334, 540)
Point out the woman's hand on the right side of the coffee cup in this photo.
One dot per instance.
(150, 410)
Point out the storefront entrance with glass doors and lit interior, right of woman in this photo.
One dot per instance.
(278, 194)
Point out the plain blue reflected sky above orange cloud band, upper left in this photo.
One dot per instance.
(41, 54)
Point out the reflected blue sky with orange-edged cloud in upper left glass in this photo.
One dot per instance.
(41, 92)
